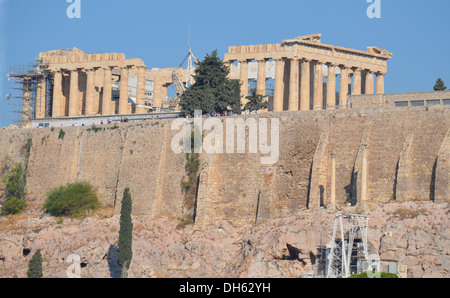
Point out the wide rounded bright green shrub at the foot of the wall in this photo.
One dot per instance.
(74, 199)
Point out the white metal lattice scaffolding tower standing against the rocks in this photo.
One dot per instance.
(348, 246)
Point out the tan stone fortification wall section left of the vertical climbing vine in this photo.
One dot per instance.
(112, 159)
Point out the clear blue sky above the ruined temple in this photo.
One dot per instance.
(416, 32)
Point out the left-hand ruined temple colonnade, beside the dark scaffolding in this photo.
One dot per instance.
(79, 84)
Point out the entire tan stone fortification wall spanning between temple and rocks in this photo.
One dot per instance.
(407, 158)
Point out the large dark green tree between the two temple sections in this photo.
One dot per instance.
(213, 91)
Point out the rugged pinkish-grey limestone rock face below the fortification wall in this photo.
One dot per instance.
(416, 234)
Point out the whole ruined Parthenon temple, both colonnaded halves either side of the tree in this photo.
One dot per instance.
(306, 74)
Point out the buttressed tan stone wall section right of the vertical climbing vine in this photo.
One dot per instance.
(238, 189)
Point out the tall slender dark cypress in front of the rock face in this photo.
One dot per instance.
(125, 252)
